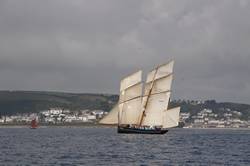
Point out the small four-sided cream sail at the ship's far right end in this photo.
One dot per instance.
(171, 117)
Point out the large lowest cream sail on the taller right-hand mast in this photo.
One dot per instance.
(155, 107)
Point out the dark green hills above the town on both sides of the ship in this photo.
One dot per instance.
(12, 102)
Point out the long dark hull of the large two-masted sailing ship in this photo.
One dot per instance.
(127, 130)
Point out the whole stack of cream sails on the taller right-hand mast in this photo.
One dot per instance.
(157, 95)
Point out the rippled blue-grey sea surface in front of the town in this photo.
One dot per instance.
(103, 146)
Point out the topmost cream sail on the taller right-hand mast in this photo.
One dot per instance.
(162, 71)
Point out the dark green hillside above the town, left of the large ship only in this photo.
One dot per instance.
(12, 102)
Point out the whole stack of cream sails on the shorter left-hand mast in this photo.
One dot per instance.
(130, 99)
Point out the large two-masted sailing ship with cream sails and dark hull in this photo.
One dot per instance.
(143, 108)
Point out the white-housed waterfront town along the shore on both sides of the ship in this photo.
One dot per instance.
(203, 119)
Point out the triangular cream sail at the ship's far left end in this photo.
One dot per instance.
(112, 117)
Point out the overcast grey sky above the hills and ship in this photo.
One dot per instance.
(88, 46)
